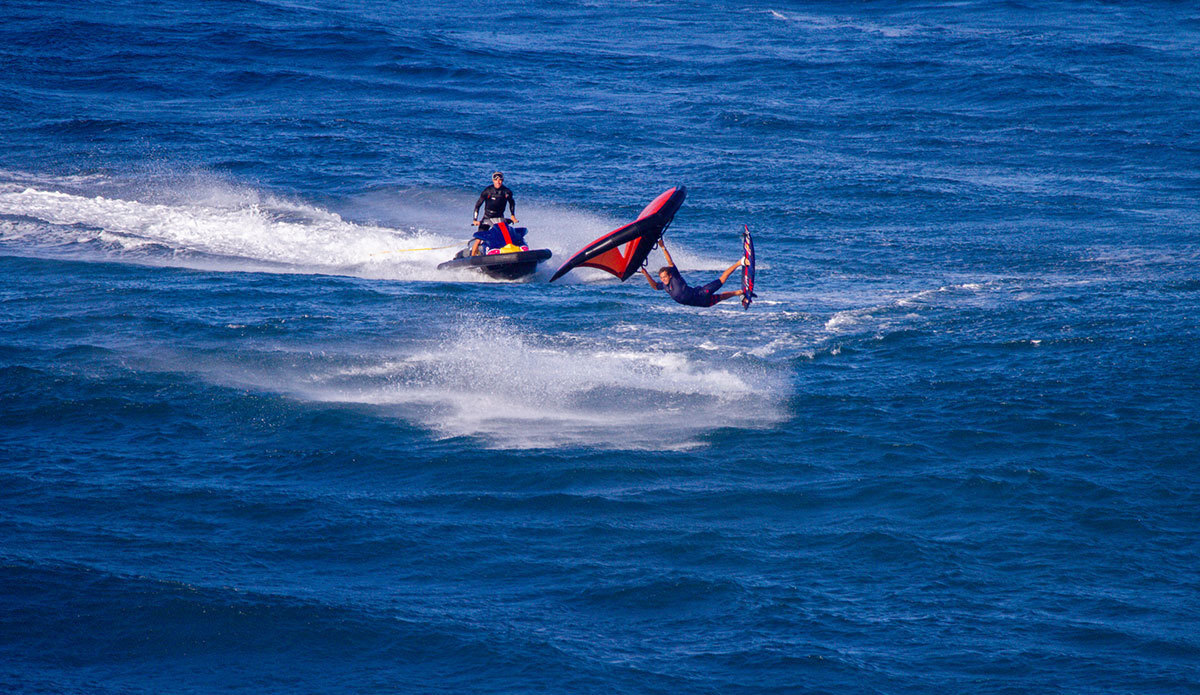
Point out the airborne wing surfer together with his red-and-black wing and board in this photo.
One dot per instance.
(626, 251)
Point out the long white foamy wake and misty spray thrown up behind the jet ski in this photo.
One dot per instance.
(207, 224)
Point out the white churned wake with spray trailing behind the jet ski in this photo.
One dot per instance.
(266, 233)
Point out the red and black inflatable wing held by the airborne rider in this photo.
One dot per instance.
(623, 251)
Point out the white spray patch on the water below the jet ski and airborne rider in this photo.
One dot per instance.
(555, 391)
